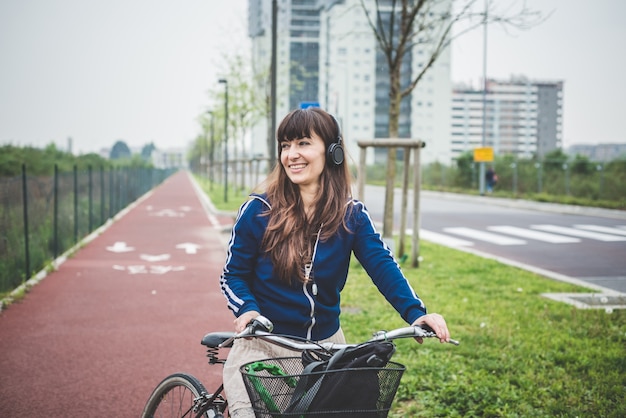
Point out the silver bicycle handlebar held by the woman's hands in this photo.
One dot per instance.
(261, 327)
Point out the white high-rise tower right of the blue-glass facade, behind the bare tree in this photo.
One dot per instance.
(354, 82)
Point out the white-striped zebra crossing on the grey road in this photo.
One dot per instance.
(507, 235)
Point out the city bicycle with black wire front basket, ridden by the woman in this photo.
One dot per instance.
(183, 395)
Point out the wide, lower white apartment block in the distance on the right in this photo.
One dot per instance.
(516, 116)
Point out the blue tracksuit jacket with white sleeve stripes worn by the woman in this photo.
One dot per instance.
(248, 282)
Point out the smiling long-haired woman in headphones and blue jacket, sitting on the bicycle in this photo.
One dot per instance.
(290, 250)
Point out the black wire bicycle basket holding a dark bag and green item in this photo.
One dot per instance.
(347, 393)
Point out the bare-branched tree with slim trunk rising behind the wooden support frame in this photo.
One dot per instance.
(401, 25)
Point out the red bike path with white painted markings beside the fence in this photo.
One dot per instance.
(98, 334)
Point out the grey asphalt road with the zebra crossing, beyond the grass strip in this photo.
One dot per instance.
(583, 246)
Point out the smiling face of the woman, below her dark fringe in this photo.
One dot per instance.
(304, 160)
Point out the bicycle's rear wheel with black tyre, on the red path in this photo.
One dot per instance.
(177, 396)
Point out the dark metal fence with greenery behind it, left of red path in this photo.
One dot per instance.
(43, 217)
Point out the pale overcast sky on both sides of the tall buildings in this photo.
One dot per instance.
(139, 70)
